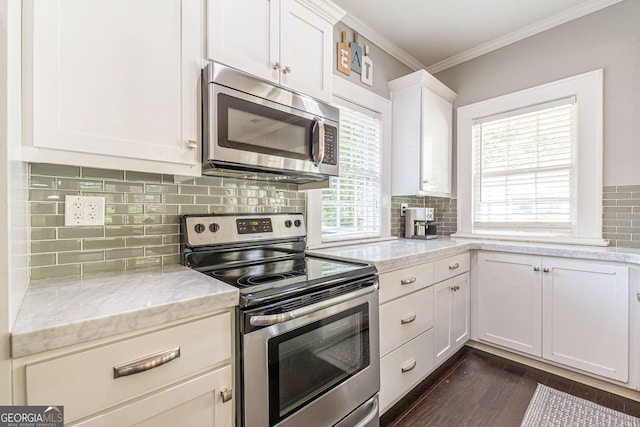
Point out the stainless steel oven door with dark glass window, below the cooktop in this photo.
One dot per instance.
(317, 368)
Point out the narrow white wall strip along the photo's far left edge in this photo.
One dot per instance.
(13, 188)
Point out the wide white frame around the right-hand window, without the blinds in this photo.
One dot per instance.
(588, 90)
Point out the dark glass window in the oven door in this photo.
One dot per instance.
(309, 361)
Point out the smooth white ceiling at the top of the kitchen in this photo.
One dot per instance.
(438, 34)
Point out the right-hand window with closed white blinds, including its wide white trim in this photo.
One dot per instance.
(530, 163)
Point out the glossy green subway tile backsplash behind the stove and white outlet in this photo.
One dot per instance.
(142, 216)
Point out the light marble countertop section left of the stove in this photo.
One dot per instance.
(61, 312)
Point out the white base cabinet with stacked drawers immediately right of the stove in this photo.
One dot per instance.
(414, 317)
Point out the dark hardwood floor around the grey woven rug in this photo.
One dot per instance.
(480, 389)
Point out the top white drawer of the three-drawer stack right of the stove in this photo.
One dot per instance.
(397, 283)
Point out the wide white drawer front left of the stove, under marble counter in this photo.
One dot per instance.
(84, 382)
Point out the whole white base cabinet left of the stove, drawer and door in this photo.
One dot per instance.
(193, 386)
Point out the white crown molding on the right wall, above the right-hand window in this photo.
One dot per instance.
(521, 34)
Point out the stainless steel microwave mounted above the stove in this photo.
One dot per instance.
(258, 130)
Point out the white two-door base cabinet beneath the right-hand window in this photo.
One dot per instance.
(572, 312)
